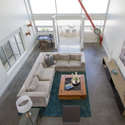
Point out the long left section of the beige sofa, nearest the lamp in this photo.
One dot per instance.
(39, 92)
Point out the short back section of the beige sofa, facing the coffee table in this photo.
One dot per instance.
(69, 62)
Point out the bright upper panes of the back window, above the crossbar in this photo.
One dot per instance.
(67, 6)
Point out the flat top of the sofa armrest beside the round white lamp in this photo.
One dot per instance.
(35, 94)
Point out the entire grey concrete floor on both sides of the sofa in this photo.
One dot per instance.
(103, 106)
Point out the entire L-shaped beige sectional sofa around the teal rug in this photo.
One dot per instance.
(39, 81)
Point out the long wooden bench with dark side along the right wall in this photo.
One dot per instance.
(117, 81)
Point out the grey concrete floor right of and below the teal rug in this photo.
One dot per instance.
(103, 106)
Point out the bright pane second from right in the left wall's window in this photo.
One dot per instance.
(14, 47)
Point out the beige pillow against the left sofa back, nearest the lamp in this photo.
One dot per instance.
(33, 85)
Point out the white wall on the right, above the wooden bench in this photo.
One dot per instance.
(114, 33)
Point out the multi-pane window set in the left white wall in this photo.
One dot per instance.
(11, 50)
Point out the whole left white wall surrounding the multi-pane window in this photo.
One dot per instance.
(13, 15)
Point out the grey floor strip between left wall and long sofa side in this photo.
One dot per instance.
(8, 112)
